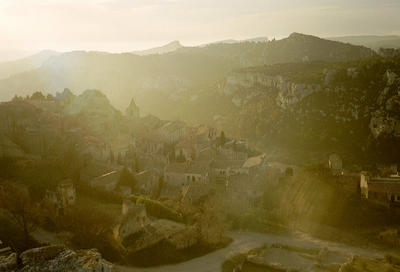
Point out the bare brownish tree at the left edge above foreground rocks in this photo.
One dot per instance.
(19, 208)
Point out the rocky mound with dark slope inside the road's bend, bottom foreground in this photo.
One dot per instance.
(149, 240)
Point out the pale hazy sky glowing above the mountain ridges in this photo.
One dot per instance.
(126, 25)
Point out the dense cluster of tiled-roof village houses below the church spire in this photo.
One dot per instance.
(178, 155)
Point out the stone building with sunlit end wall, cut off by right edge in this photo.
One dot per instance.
(382, 190)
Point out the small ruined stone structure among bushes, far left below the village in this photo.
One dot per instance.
(63, 196)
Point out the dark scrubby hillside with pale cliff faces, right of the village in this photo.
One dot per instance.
(343, 107)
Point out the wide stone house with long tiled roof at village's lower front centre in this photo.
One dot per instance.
(178, 174)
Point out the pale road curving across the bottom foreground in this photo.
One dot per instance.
(243, 242)
